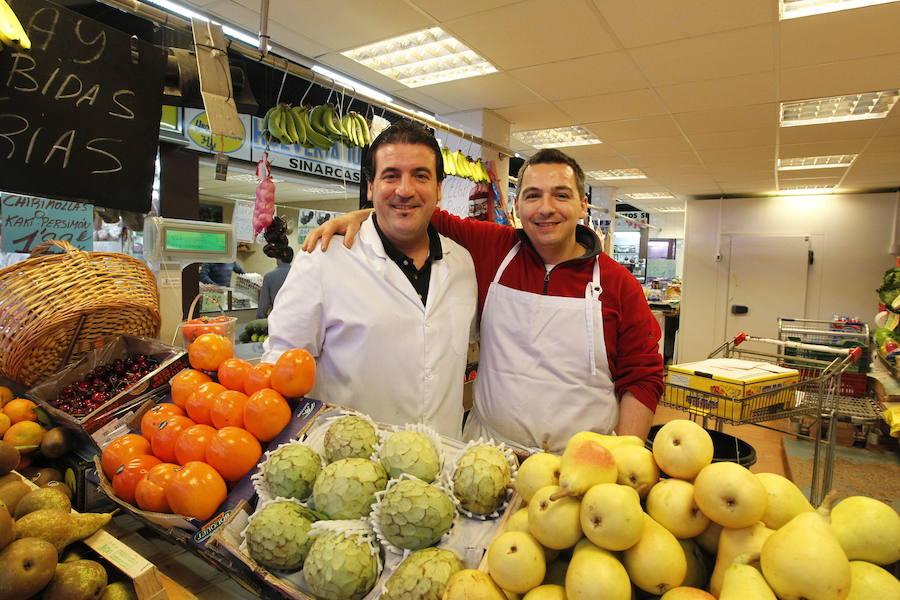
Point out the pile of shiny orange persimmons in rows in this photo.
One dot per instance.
(211, 434)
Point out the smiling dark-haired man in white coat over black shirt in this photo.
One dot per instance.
(389, 319)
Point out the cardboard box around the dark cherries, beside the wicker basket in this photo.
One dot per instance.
(120, 407)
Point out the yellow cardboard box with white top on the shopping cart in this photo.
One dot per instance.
(731, 388)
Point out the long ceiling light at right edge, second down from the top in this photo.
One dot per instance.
(855, 107)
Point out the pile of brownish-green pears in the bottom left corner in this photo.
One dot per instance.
(37, 526)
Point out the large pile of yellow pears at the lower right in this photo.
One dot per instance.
(602, 524)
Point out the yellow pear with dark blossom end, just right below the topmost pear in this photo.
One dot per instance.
(730, 494)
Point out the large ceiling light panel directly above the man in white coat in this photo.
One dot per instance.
(422, 58)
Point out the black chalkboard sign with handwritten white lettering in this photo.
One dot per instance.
(79, 112)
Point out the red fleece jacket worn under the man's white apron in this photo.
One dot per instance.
(629, 328)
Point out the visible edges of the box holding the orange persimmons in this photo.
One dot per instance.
(304, 413)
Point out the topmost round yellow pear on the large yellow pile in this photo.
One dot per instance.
(681, 448)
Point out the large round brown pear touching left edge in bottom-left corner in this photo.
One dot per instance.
(26, 566)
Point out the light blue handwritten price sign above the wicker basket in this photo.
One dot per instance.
(29, 221)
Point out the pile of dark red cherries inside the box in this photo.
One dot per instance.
(102, 383)
